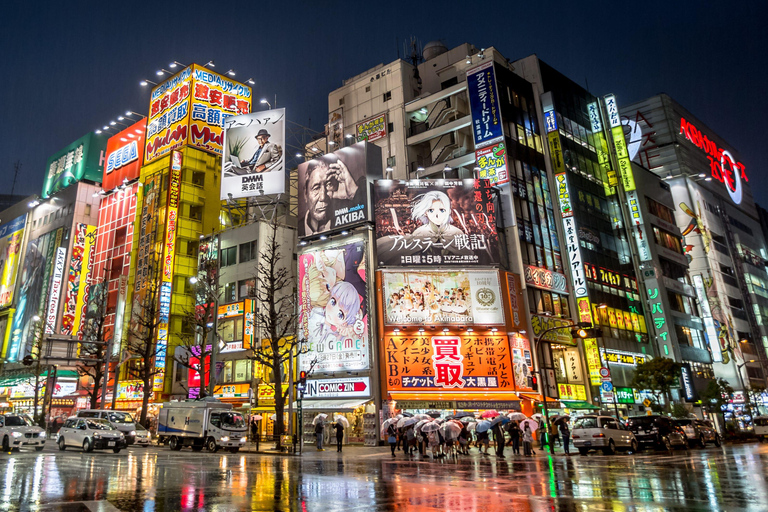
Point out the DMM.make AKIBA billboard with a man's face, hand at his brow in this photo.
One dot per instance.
(334, 189)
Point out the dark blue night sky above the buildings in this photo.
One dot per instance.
(73, 66)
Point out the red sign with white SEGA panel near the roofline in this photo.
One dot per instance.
(125, 155)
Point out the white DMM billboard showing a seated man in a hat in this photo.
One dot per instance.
(254, 160)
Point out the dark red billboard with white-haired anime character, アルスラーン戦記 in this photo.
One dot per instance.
(429, 222)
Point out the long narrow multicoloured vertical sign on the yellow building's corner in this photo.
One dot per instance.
(169, 251)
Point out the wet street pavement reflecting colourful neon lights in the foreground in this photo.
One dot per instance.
(156, 479)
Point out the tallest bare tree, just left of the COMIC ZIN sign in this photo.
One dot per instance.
(276, 317)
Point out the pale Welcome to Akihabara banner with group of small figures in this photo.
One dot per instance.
(442, 298)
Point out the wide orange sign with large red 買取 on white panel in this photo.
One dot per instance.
(431, 363)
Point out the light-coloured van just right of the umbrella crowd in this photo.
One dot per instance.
(601, 433)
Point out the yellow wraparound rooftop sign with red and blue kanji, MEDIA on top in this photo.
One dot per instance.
(190, 109)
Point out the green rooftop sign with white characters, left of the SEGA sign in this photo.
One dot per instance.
(81, 160)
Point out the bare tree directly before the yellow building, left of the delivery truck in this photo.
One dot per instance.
(143, 332)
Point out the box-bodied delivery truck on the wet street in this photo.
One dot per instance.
(199, 424)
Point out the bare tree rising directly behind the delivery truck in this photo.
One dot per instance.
(200, 320)
